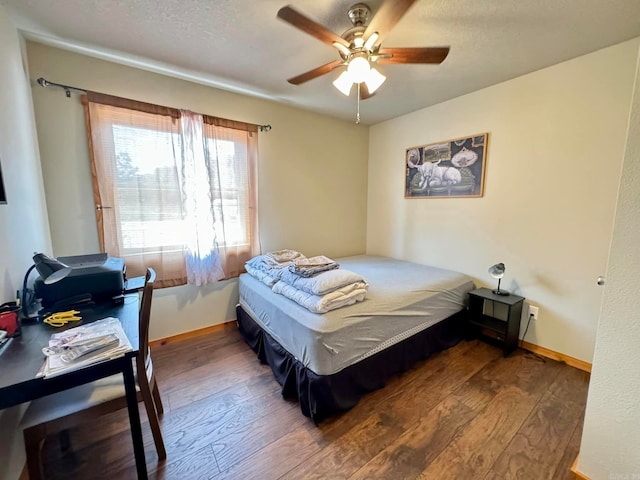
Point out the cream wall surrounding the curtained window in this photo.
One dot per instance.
(312, 173)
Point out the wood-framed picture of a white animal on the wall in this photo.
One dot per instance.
(447, 169)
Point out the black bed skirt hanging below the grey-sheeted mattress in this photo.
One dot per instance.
(323, 395)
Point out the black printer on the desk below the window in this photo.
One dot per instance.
(94, 277)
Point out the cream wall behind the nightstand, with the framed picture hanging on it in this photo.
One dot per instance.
(556, 144)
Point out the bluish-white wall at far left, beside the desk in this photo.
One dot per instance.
(23, 220)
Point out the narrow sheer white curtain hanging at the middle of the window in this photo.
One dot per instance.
(203, 259)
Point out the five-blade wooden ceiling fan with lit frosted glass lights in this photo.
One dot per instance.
(360, 46)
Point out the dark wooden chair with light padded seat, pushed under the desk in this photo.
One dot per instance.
(59, 412)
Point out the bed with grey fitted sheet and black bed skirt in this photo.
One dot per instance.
(329, 361)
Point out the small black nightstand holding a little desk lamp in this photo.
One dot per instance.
(496, 316)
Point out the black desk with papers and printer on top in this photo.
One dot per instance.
(21, 359)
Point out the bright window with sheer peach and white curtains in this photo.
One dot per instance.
(174, 190)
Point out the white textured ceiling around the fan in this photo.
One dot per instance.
(241, 46)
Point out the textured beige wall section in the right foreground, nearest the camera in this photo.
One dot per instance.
(611, 436)
